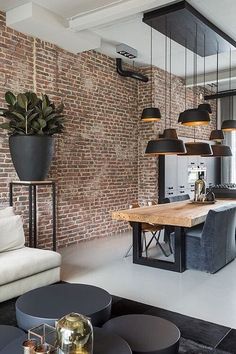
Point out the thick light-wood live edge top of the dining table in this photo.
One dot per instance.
(184, 214)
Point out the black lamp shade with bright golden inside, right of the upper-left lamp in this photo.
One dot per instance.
(194, 117)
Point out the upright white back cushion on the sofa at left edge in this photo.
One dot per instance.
(11, 233)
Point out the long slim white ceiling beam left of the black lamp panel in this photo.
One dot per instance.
(112, 13)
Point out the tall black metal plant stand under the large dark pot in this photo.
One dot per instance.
(32, 189)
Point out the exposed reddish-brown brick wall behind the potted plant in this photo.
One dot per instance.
(99, 164)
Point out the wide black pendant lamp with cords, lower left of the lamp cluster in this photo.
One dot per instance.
(168, 144)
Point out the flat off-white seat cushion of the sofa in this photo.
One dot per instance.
(24, 262)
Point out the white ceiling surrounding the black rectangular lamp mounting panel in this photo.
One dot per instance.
(120, 21)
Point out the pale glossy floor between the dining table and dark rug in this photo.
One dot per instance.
(100, 262)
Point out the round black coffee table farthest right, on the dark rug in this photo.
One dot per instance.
(146, 334)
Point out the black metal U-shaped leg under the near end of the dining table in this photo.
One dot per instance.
(179, 257)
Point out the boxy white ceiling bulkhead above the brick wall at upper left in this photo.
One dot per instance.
(39, 22)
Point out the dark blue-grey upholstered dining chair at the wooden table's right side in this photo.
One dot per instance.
(211, 245)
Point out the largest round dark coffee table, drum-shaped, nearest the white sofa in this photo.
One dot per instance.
(49, 303)
